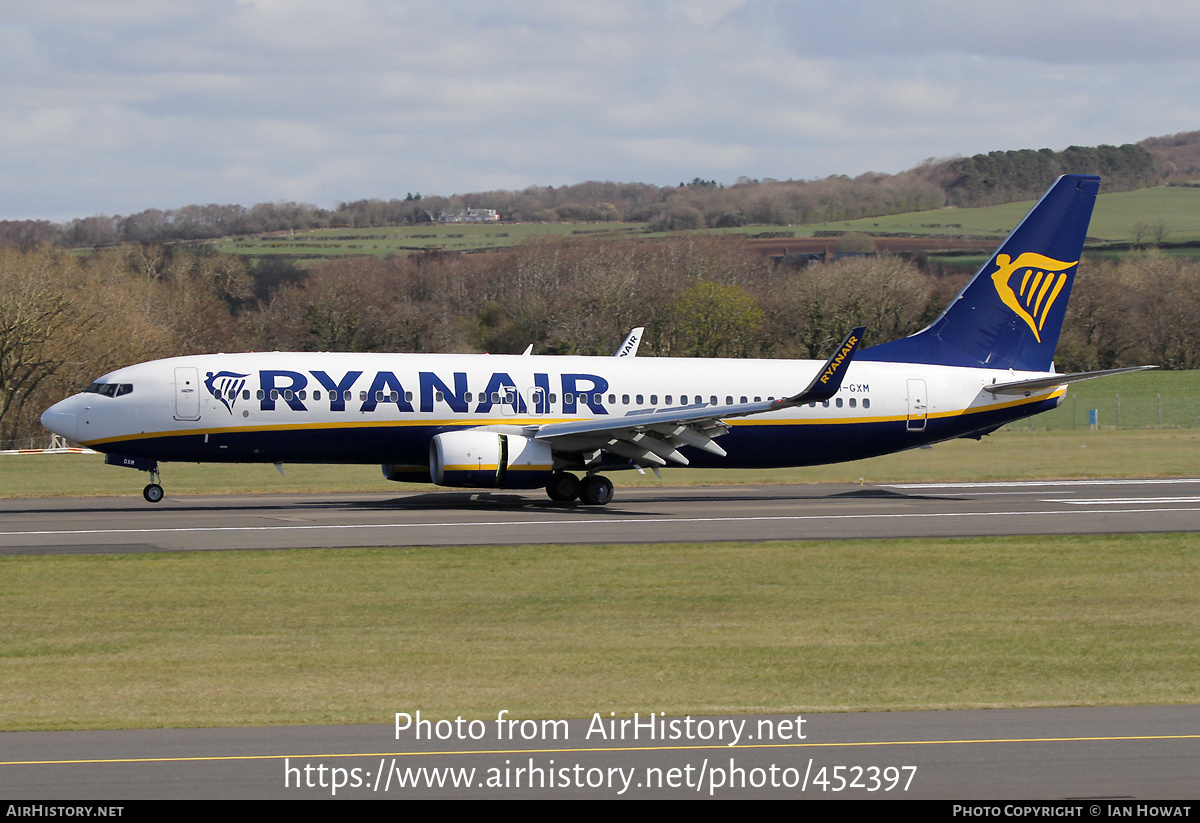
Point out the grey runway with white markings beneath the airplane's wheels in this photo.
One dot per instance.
(638, 515)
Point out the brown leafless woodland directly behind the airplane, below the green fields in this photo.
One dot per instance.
(68, 319)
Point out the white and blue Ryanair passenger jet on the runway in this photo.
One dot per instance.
(529, 422)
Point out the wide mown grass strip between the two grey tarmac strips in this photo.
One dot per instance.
(561, 632)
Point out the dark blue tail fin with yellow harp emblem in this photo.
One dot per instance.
(1011, 314)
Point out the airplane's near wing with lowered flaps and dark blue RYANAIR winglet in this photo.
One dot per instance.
(653, 437)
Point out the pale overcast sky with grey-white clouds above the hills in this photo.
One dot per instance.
(128, 105)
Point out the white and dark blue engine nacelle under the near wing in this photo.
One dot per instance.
(490, 460)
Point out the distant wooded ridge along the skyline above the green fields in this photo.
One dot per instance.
(986, 179)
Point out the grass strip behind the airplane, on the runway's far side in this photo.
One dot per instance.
(1018, 454)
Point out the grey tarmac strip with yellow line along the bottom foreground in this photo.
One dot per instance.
(1100, 758)
